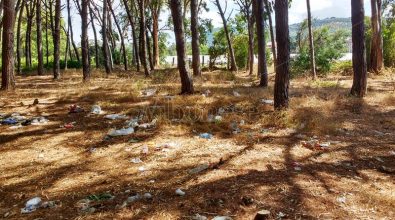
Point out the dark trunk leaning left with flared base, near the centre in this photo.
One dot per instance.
(186, 79)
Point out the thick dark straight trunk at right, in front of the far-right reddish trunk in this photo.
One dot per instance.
(359, 86)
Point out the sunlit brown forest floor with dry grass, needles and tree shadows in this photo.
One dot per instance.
(265, 166)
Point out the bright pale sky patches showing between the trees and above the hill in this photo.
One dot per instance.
(297, 13)
